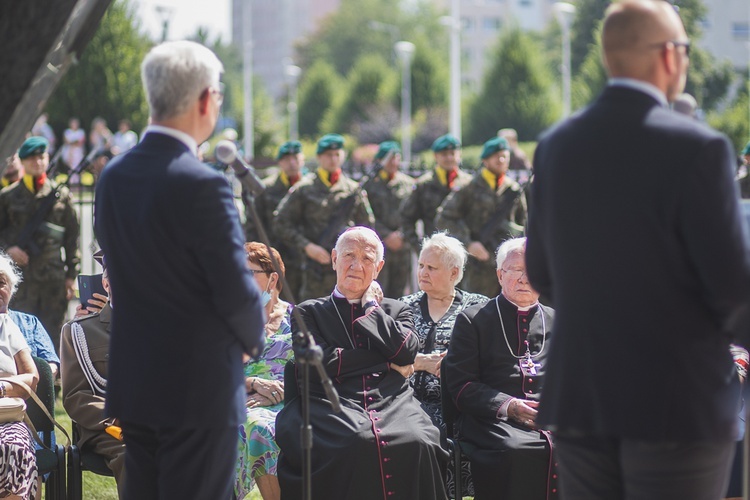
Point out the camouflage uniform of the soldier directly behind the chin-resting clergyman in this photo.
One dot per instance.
(306, 213)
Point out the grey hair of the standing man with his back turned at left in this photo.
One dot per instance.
(175, 74)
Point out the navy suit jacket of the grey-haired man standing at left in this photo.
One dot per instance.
(185, 306)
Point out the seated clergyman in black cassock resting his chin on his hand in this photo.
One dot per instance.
(382, 445)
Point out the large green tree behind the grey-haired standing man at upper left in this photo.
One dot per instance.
(106, 81)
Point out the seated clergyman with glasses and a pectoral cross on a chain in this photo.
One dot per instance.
(494, 370)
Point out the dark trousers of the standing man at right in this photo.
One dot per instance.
(594, 467)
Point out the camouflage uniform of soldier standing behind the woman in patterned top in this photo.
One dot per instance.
(429, 192)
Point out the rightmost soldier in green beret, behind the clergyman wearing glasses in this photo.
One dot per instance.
(483, 214)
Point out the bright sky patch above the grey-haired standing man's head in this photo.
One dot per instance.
(185, 16)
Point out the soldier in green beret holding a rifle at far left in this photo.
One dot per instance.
(47, 277)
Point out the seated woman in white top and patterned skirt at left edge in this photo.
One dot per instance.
(18, 472)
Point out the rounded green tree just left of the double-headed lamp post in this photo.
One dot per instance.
(370, 82)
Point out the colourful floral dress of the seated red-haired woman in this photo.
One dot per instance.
(258, 451)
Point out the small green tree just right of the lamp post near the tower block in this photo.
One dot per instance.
(319, 88)
